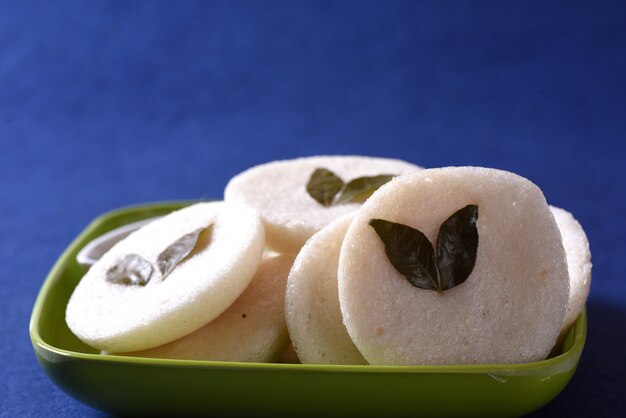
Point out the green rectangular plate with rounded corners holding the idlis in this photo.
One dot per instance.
(128, 385)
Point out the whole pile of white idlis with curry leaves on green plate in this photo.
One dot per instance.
(344, 260)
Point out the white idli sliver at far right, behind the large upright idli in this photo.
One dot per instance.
(578, 263)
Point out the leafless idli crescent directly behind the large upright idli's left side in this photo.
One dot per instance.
(312, 303)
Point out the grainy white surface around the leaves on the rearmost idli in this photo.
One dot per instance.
(278, 191)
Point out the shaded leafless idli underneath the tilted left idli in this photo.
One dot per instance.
(252, 329)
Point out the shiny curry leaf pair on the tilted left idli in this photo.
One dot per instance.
(136, 270)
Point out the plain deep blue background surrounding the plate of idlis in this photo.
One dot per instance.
(106, 104)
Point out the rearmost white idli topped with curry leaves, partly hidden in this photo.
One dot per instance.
(297, 198)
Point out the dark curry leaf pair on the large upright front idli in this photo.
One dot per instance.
(413, 256)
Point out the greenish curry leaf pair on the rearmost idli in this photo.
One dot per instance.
(329, 189)
